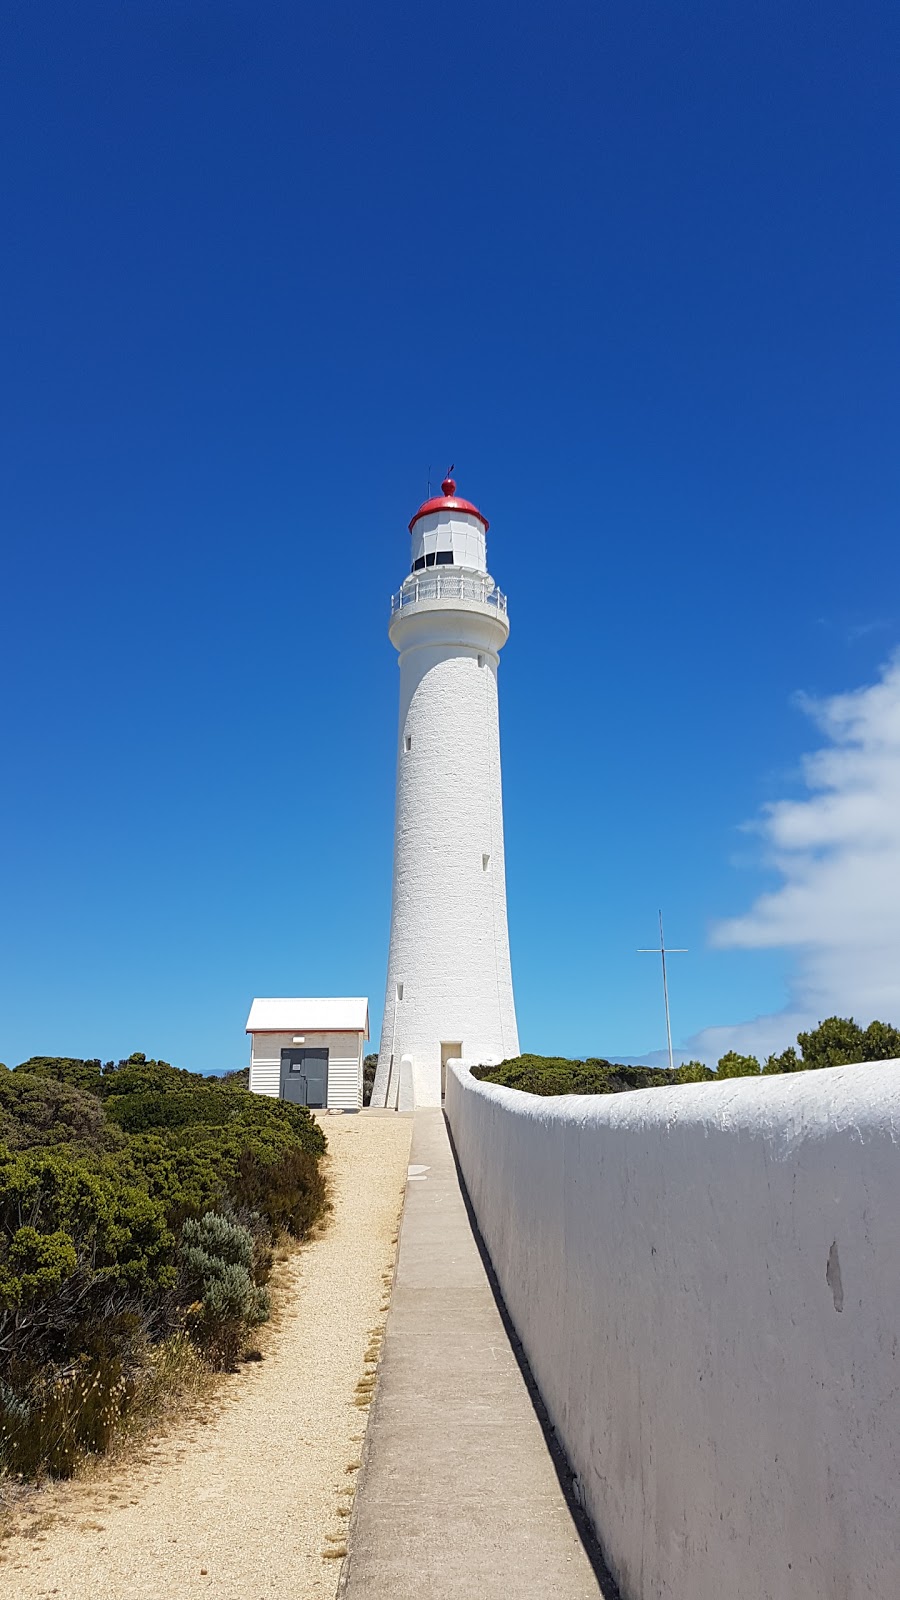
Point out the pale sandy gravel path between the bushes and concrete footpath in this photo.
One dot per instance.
(244, 1503)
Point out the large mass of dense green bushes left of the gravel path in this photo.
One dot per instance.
(140, 1209)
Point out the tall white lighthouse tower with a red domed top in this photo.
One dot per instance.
(449, 980)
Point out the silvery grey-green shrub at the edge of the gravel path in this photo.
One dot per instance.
(217, 1268)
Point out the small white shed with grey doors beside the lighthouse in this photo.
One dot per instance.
(310, 1052)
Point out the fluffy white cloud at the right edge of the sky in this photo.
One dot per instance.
(838, 852)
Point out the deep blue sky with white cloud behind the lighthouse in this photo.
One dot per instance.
(268, 270)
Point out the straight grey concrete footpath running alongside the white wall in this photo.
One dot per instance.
(460, 1495)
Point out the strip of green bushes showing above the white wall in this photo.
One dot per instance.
(838, 1042)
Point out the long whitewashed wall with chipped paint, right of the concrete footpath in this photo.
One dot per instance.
(707, 1284)
